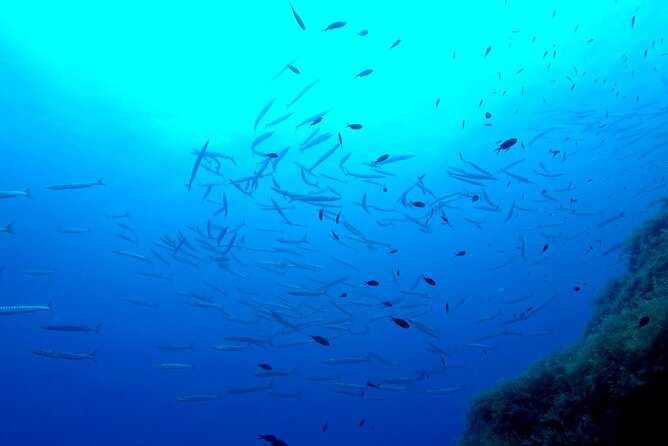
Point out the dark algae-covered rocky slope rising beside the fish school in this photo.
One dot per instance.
(611, 387)
